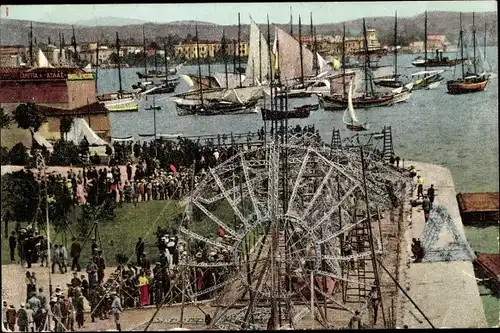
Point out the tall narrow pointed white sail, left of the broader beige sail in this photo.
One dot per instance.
(257, 62)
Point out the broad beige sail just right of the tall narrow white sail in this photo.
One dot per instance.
(289, 57)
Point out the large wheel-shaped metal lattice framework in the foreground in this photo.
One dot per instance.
(273, 246)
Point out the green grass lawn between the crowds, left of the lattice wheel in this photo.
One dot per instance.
(120, 235)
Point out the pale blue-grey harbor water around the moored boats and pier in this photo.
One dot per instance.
(459, 132)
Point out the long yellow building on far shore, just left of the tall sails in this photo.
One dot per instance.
(208, 48)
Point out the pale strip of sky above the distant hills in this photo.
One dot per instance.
(227, 13)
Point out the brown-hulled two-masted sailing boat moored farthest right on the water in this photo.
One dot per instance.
(469, 82)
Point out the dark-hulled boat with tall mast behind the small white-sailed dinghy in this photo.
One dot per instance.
(370, 98)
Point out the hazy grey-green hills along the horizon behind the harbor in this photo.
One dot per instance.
(409, 28)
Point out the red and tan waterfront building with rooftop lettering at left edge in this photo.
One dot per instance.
(57, 92)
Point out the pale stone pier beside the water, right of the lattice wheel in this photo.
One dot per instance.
(445, 291)
